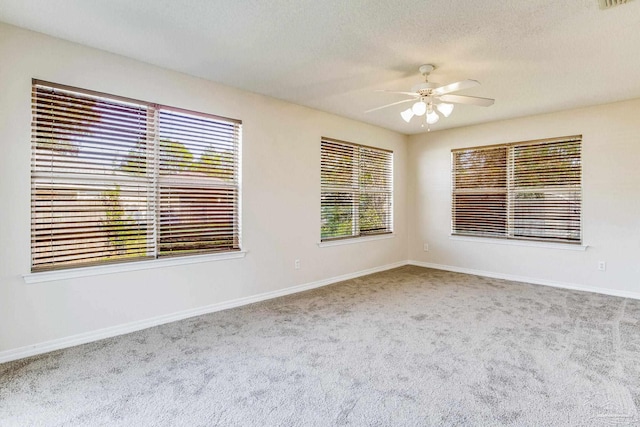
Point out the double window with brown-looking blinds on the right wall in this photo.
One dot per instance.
(526, 190)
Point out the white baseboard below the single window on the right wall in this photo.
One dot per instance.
(554, 284)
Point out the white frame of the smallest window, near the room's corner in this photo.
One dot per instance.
(356, 190)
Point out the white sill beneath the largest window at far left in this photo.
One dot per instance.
(72, 273)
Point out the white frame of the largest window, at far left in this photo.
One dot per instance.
(150, 178)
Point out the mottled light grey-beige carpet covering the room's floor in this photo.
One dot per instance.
(405, 347)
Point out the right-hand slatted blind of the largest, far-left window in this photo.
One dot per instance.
(198, 184)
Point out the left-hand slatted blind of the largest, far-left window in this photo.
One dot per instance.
(89, 180)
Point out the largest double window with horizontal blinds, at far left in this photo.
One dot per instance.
(117, 180)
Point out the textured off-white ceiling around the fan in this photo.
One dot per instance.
(531, 56)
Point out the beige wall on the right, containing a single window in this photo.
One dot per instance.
(611, 193)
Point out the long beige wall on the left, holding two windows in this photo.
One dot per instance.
(280, 184)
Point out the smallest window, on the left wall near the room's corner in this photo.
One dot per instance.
(357, 190)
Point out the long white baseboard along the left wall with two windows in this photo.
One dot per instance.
(86, 337)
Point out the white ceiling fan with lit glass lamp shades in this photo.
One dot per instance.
(430, 98)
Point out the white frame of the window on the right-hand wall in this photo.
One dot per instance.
(511, 190)
